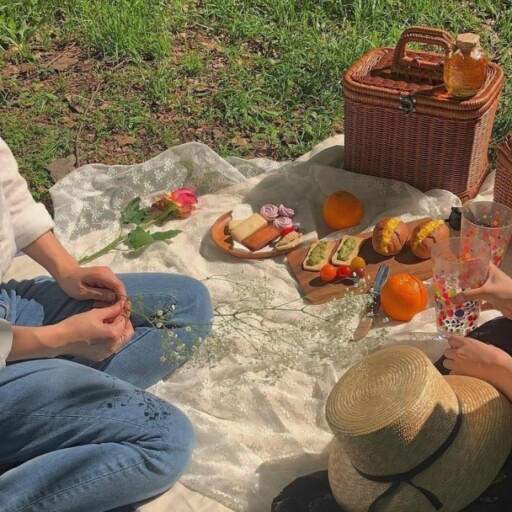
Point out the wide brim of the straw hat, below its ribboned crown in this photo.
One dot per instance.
(458, 477)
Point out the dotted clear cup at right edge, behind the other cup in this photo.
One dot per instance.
(490, 222)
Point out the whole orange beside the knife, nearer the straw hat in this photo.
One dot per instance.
(403, 296)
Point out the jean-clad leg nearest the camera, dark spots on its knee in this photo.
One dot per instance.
(81, 440)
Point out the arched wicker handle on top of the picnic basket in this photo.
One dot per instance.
(414, 66)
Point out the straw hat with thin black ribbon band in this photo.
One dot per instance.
(409, 439)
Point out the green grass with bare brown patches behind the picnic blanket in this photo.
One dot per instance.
(264, 72)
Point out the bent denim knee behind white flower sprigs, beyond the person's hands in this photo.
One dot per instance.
(171, 314)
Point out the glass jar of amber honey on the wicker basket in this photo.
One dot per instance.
(465, 66)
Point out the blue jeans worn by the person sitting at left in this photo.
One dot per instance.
(85, 437)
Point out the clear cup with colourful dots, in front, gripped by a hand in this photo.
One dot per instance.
(458, 264)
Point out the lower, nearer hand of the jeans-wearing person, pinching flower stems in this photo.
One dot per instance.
(97, 333)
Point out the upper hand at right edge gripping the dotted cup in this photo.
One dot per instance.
(497, 290)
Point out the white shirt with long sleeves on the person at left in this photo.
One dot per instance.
(22, 221)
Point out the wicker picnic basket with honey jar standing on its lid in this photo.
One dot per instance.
(401, 123)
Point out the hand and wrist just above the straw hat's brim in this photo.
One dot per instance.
(467, 356)
